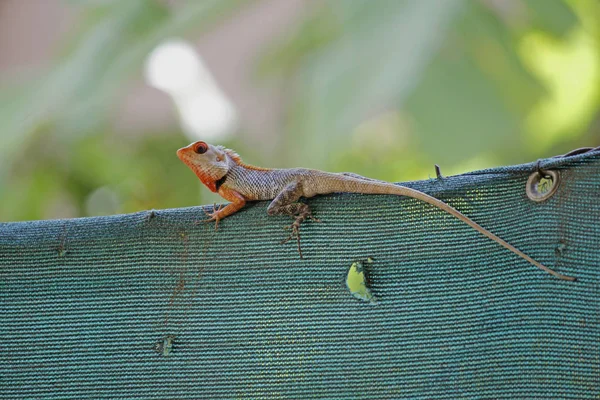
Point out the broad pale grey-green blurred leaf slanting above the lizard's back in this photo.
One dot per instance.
(377, 61)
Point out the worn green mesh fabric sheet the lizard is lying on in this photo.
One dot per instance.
(157, 305)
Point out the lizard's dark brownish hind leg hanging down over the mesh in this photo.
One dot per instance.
(286, 203)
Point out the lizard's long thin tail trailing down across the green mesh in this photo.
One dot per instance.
(355, 184)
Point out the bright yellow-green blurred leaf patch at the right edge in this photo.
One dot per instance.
(570, 69)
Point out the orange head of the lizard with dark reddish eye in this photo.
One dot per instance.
(210, 163)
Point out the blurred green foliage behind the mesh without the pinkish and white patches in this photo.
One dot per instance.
(383, 88)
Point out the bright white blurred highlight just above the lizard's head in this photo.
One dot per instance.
(205, 112)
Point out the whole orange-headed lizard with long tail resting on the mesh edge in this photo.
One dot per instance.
(223, 171)
